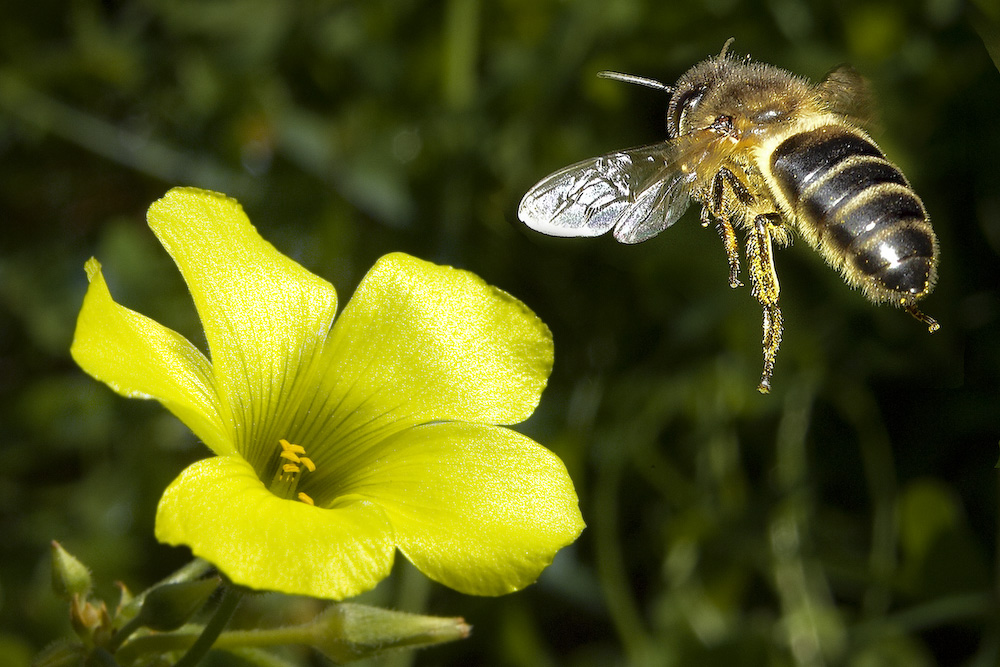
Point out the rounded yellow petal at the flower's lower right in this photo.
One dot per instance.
(481, 509)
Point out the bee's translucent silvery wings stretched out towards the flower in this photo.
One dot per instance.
(637, 192)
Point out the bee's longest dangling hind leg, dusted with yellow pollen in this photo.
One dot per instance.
(764, 280)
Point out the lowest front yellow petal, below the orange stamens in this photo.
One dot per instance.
(220, 509)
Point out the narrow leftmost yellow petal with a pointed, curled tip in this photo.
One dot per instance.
(140, 358)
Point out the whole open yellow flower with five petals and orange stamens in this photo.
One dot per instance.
(337, 443)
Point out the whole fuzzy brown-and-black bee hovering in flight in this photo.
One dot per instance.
(769, 153)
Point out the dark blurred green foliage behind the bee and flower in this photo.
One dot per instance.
(849, 518)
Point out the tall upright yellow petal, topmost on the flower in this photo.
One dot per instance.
(265, 316)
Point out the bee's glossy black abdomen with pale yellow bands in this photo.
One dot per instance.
(862, 211)
